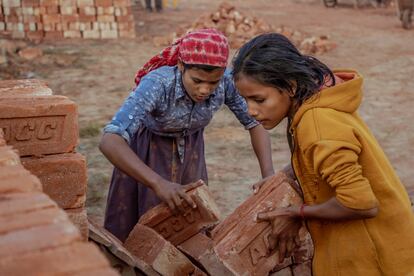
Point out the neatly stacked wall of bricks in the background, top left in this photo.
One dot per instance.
(58, 19)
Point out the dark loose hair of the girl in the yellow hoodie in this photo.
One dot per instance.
(273, 60)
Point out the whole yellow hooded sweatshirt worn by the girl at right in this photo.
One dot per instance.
(336, 155)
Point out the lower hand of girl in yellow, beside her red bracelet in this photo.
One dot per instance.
(285, 230)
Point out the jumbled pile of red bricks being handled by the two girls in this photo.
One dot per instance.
(191, 243)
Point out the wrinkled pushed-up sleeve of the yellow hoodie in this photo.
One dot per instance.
(336, 162)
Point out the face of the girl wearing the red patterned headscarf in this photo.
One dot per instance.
(198, 83)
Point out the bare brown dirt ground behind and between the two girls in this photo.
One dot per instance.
(99, 74)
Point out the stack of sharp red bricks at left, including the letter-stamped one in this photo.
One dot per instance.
(43, 128)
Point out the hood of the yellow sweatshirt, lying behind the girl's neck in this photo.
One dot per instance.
(345, 96)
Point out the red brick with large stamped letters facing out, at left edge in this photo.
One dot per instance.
(39, 125)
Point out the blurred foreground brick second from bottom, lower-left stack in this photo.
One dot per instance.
(38, 238)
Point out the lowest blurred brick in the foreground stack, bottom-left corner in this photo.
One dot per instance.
(73, 259)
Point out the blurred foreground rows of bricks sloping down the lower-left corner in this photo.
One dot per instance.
(36, 236)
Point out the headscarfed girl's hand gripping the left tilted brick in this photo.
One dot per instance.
(173, 194)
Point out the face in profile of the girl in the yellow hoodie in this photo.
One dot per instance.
(266, 104)
